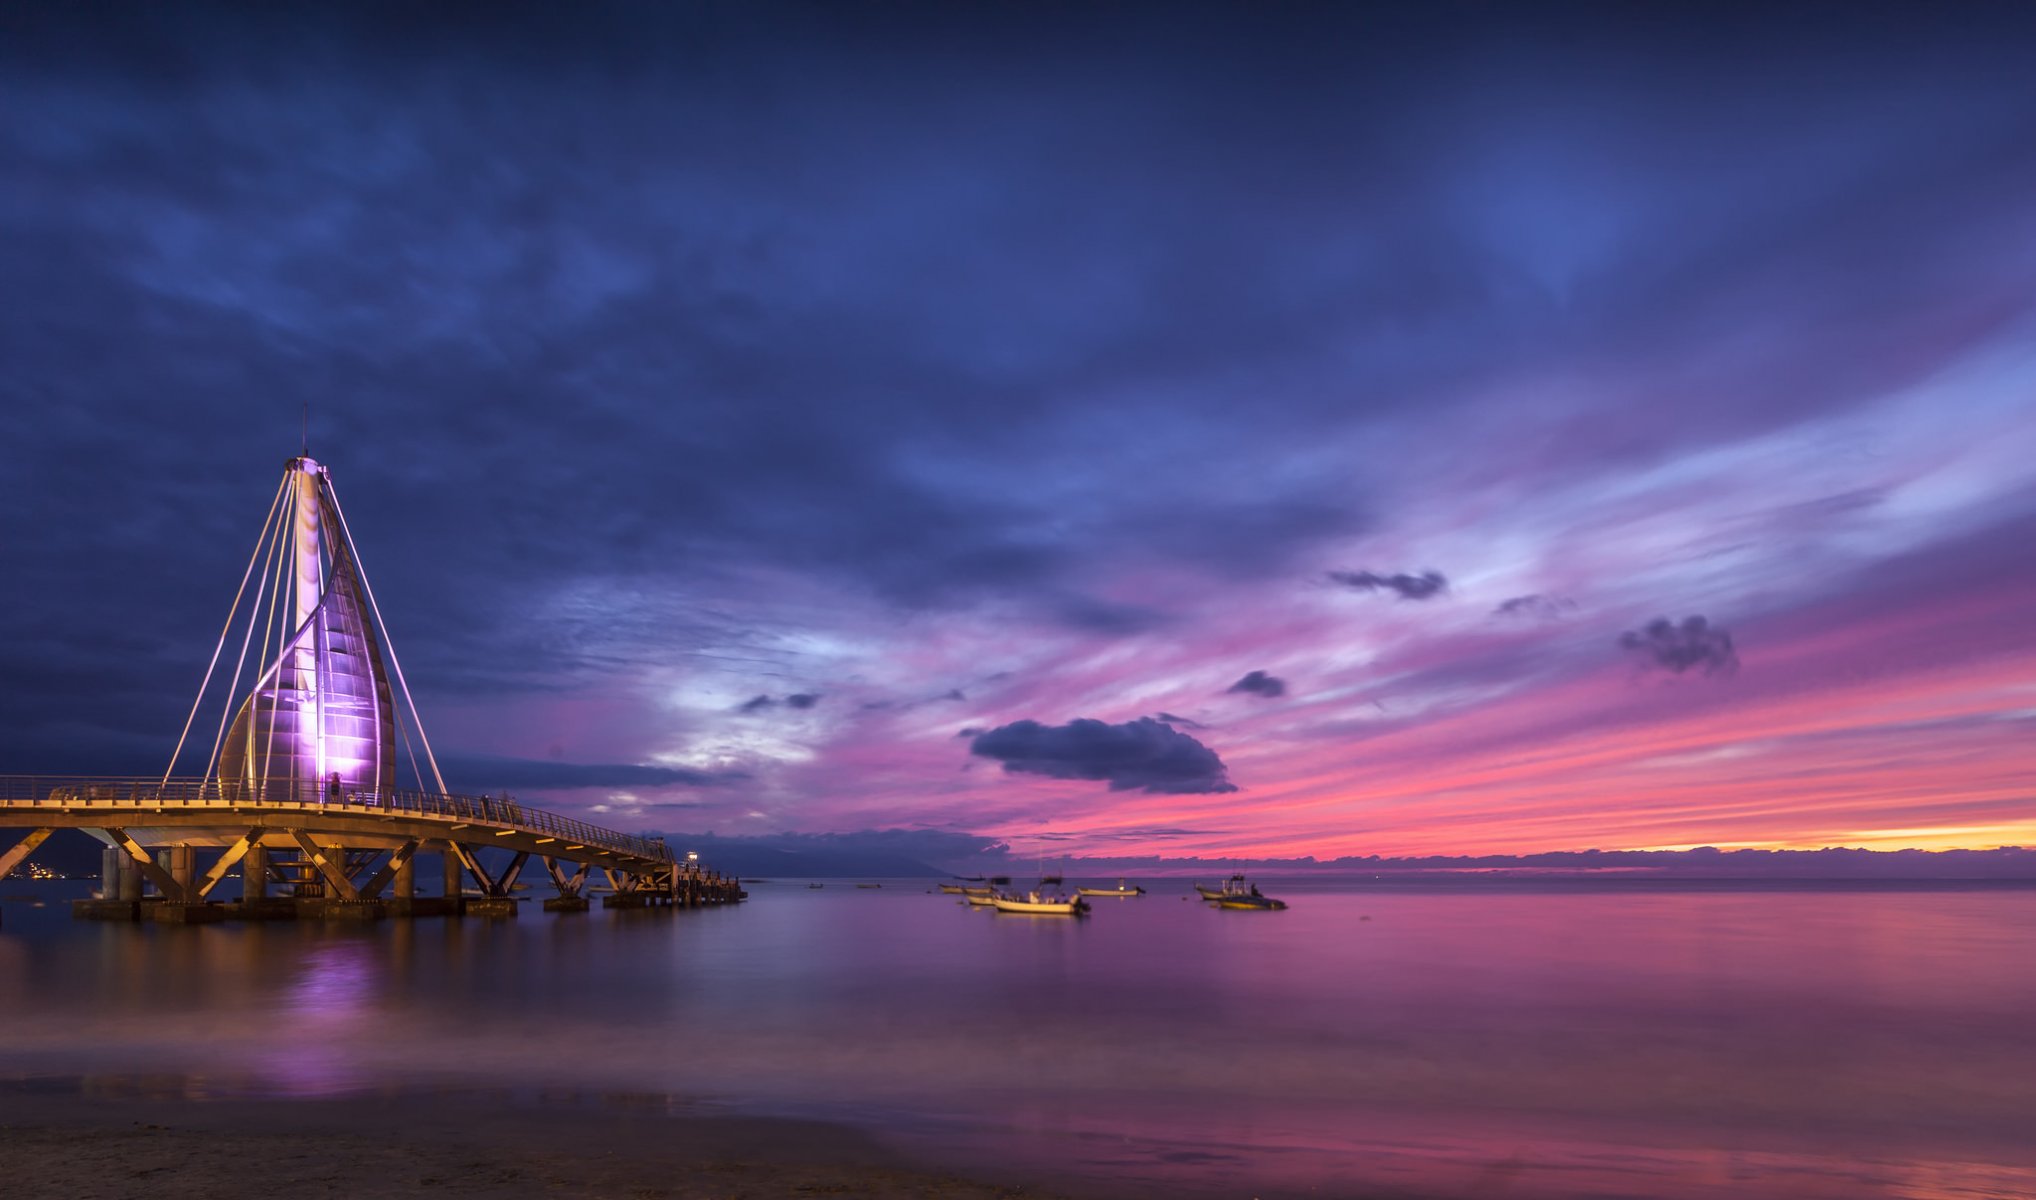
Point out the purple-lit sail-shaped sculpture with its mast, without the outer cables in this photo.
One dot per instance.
(319, 722)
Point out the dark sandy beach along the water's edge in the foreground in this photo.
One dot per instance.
(170, 1148)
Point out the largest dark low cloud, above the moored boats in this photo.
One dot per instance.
(1137, 755)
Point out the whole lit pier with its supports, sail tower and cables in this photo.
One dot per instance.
(300, 789)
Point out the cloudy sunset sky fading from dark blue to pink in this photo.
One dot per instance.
(1186, 431)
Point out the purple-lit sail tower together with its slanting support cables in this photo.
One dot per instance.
(317, 720)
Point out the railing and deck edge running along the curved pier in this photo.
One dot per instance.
(58, 792)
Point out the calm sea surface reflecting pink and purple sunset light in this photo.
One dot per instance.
(1471, 1040)
